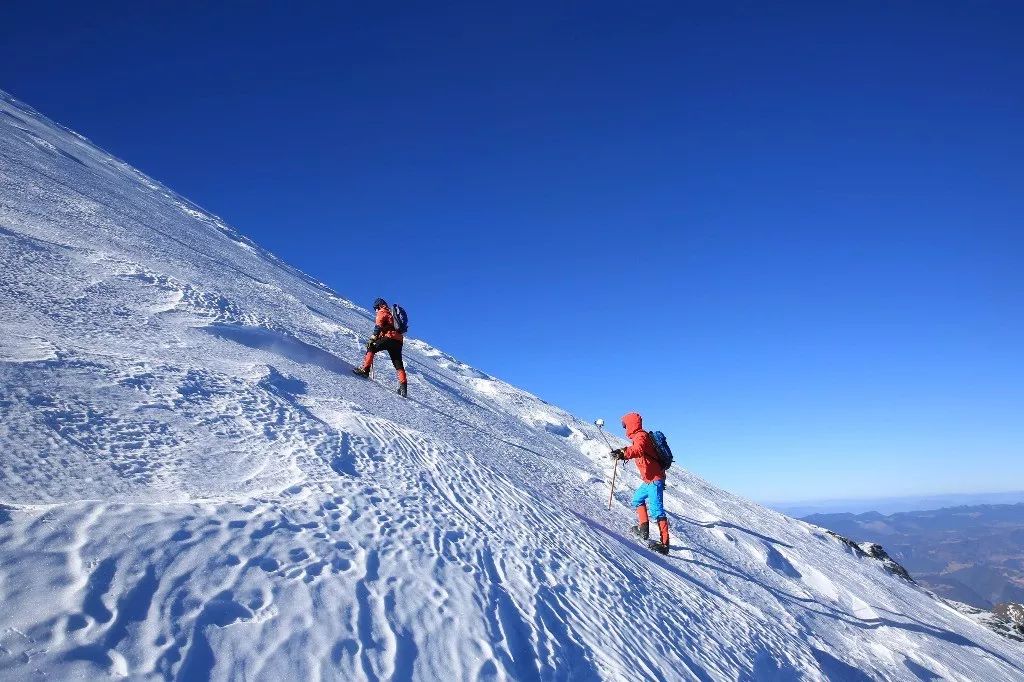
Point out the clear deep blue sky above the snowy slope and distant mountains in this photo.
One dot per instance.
(789, 234)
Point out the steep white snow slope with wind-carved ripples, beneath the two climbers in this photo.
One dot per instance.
(194, 487)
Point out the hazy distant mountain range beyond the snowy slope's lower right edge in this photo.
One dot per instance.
(974, 555)
